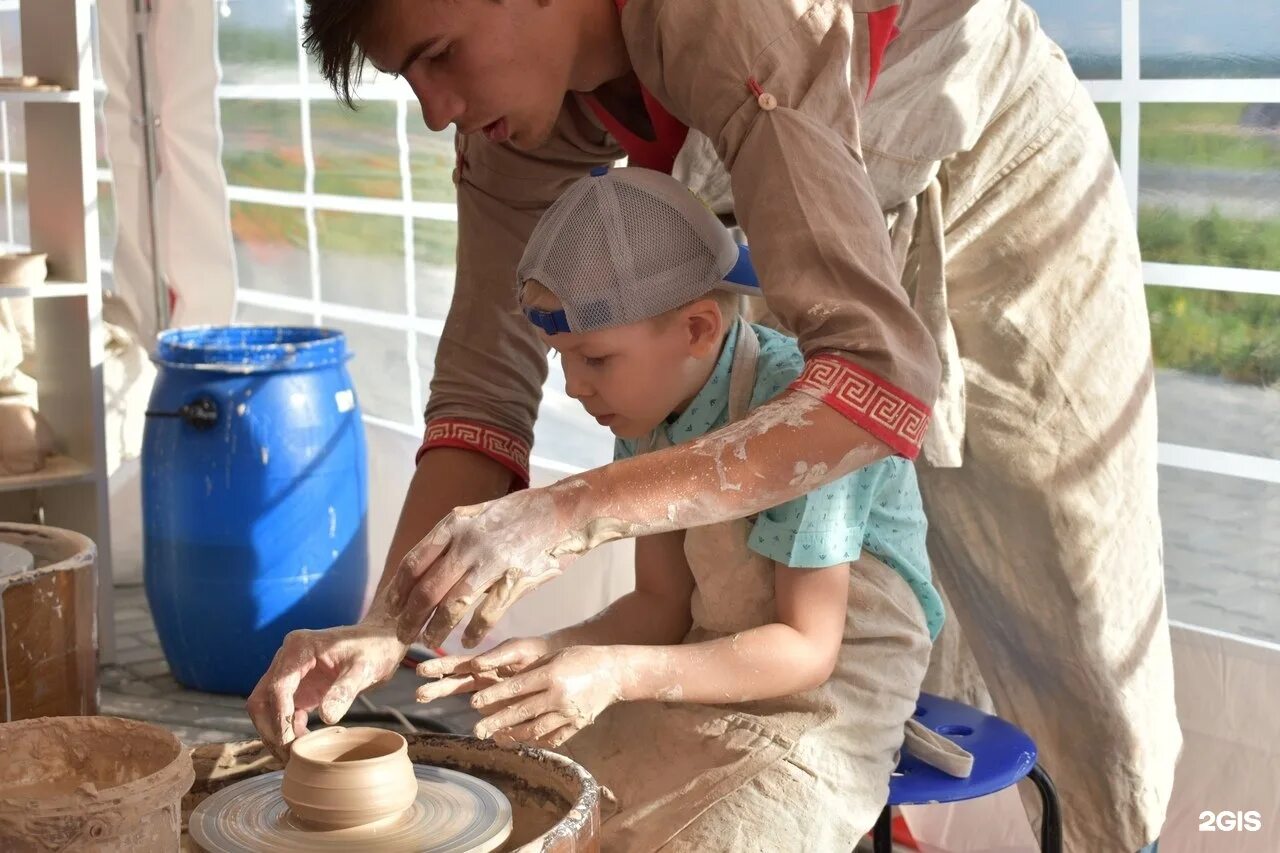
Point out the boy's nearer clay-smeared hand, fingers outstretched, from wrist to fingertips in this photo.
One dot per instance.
(555, 699)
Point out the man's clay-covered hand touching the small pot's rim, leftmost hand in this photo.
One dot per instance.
(322, 670)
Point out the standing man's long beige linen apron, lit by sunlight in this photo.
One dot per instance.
(1039, 472)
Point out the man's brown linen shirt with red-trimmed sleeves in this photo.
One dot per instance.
(801, 188)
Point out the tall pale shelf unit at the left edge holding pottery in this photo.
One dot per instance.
(62, 193)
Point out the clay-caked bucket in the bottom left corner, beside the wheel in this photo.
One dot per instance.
(90, 784)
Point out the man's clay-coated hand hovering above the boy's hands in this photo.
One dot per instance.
(500, 551)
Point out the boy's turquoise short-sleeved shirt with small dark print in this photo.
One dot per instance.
(877, 508)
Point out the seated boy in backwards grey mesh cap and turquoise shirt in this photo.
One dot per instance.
(752, 692)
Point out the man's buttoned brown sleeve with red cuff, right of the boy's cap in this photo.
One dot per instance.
(801, 189)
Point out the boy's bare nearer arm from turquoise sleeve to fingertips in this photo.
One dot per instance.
(565, 692)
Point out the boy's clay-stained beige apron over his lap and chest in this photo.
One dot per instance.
(806, 773)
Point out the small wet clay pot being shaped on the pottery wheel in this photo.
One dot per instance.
(339, 778)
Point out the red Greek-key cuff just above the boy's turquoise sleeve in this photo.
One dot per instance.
(884, 410)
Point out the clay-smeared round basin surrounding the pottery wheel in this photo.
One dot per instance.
(556, 804)
